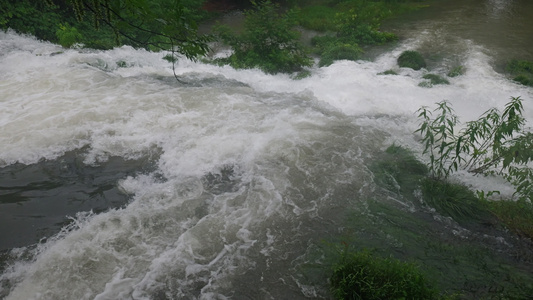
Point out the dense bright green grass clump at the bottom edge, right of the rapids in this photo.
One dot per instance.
(363, 276)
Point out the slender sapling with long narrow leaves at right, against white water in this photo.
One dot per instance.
(496, 143)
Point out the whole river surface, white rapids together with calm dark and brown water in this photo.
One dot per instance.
(118, 182)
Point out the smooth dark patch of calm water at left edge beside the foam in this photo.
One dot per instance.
(37, 200)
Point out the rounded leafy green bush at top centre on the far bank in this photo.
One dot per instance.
(268, 41)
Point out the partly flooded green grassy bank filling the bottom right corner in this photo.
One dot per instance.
(399, 224)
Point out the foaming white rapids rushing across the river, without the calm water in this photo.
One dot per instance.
(251, 170)
